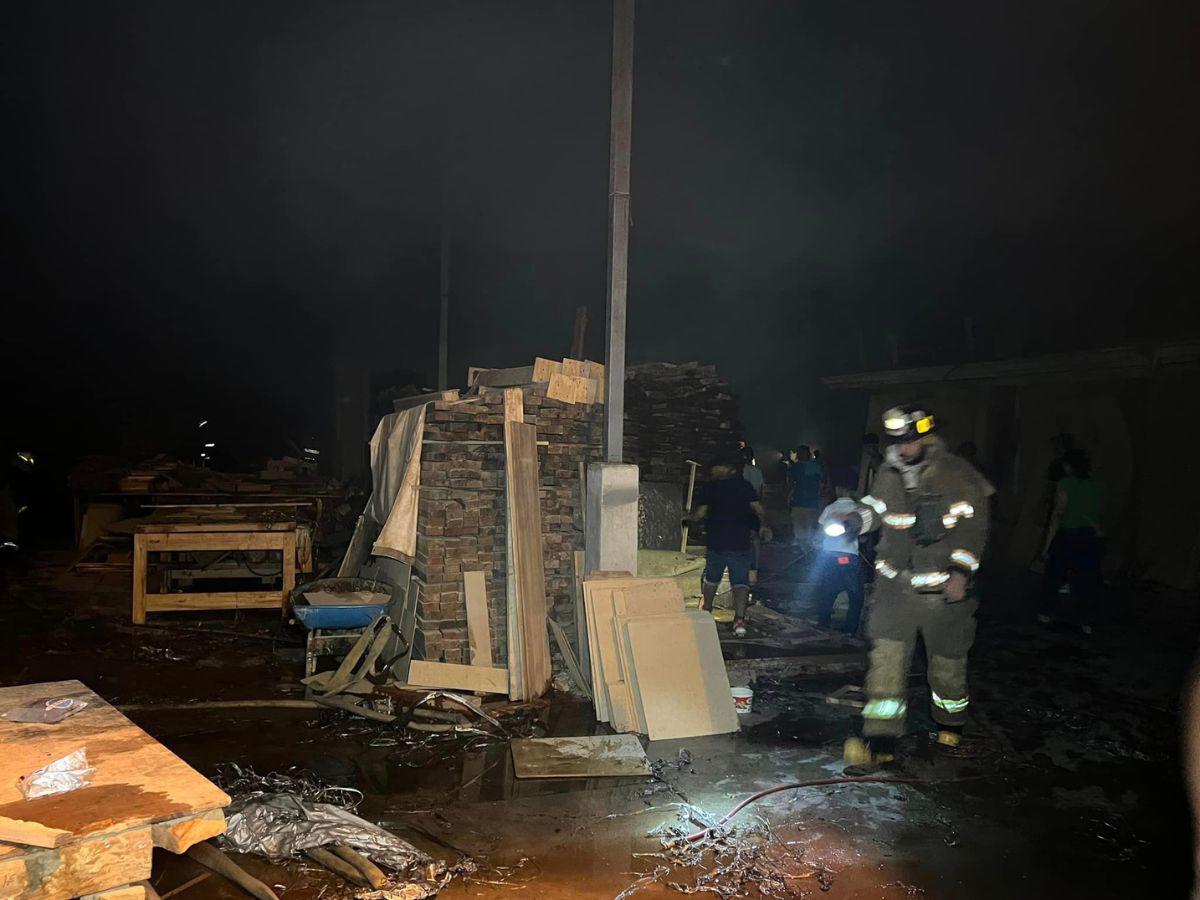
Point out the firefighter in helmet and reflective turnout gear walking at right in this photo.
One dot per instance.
(931, 509)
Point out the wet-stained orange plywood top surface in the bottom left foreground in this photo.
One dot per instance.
(137, 781)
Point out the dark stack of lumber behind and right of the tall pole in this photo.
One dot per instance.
(675, 413)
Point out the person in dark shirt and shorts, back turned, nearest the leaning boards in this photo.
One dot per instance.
(731, 508)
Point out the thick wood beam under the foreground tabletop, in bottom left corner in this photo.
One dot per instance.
(85, 867)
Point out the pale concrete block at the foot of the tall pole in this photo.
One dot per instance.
(613, 519)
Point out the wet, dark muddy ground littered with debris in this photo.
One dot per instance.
(1073, 789)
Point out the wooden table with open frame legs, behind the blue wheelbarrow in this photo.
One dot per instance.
(184, 533)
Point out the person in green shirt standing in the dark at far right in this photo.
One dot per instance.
(1075, 547)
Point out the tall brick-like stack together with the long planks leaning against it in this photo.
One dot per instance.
(500, 518)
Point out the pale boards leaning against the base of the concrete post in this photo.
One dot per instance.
(657, 668)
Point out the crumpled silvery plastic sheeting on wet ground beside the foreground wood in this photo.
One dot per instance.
(283, 826)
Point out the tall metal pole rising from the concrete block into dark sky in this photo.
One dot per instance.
(619, 225)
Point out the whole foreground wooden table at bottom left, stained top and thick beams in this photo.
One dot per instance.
(142, 796)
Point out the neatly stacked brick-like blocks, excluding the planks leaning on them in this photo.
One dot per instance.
(461, 515)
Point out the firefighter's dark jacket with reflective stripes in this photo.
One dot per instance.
(932, 518)
